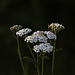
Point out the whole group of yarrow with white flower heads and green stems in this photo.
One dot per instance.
(41, 42)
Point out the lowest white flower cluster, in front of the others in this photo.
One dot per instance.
(44, 47)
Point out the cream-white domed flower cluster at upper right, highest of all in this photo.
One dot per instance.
(56, 27)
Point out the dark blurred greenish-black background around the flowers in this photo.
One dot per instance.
(37, 14)
